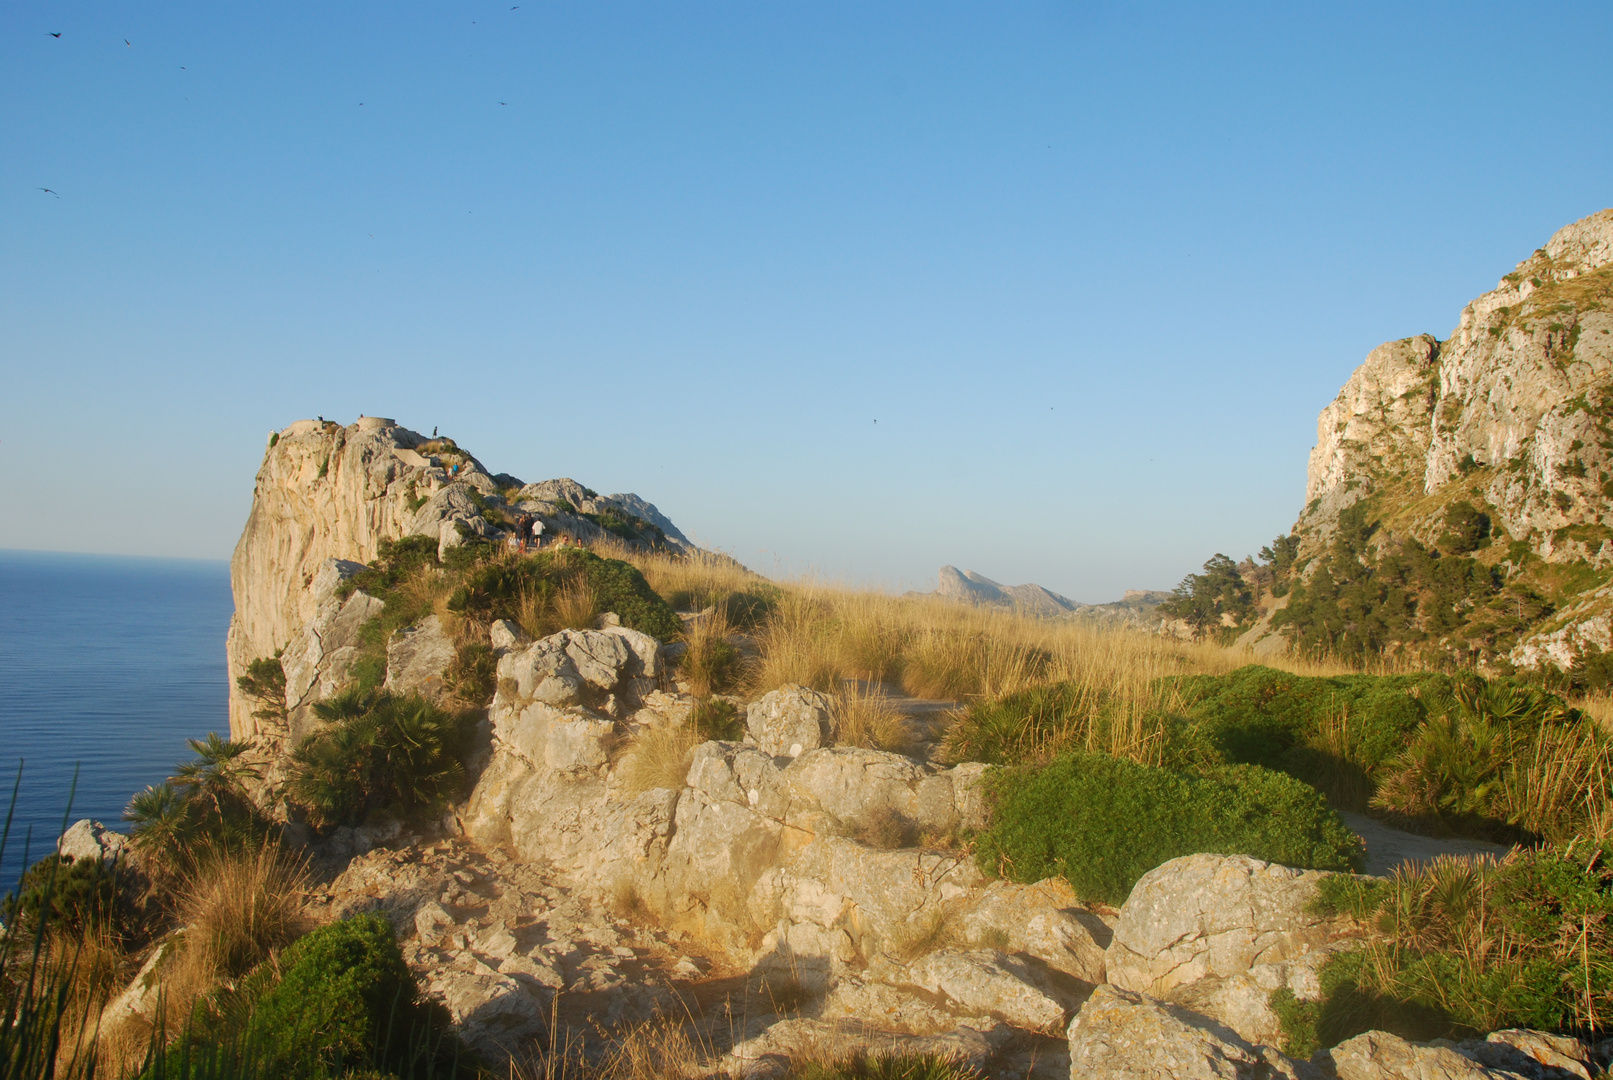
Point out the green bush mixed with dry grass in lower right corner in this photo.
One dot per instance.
(1470, 947)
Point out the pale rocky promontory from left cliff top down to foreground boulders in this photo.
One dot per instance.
(619, 857)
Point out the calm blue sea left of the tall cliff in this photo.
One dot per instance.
(107, 665)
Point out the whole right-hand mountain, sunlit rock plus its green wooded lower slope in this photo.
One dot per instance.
(1511, 417)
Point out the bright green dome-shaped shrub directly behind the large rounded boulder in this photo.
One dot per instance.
(1102, 823)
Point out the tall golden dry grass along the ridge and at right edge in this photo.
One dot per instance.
(833, 638)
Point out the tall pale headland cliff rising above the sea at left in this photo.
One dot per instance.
(325, 502)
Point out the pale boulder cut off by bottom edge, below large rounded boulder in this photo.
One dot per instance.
(1123, 1036)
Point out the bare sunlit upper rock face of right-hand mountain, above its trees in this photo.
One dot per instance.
(1509, 407)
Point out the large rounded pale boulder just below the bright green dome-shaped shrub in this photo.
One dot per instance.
(1215, 916)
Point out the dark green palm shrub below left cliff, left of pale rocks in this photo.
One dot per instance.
(378, 754)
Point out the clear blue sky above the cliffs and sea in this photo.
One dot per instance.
(1049, 291)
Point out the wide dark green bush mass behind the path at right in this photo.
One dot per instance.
(1498, 758)
